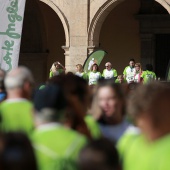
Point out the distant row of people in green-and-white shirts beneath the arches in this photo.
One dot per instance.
(133, 73)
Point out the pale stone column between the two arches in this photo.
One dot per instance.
(78, 22)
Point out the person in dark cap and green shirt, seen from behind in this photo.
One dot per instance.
(52, 141)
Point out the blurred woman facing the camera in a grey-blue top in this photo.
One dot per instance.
(111, 113)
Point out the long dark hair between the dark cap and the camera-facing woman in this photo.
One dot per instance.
(76, 92)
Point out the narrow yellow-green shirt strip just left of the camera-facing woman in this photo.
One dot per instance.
(93, 127)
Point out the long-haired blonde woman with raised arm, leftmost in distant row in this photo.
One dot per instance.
(56, 69)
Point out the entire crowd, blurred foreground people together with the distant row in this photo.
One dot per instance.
(85, 121)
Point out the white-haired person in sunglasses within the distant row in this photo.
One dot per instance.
(109, 72)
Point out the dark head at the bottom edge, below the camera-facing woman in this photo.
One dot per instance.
(99, 154)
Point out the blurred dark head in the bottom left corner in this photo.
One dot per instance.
(17, 153)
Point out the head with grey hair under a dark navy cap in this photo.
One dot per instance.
(49, 103)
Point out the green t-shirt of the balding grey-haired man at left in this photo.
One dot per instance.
(16, 115)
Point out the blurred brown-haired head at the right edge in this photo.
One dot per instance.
(152, 100)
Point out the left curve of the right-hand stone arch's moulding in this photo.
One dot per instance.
(97, 21)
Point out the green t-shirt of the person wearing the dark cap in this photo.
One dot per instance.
(53, 142)
